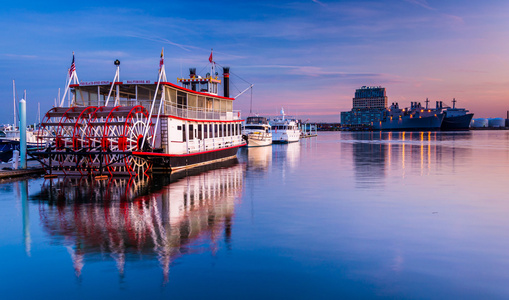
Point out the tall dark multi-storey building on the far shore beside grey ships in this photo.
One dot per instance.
(368, 106)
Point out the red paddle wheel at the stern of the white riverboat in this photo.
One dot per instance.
(92, 140)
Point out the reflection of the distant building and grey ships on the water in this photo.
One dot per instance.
(377, 155)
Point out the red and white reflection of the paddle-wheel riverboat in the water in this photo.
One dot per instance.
(160, 219)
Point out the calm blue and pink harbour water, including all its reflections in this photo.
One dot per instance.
(343, 215)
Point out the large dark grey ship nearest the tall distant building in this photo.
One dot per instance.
(413, 119)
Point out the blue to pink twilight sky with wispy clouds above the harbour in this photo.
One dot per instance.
(306, 56)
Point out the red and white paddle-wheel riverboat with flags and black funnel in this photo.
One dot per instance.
(135, 127)
